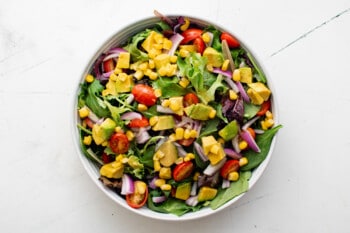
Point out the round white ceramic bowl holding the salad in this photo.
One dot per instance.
(119, 38)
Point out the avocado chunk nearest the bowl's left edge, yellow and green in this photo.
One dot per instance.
(103, 132)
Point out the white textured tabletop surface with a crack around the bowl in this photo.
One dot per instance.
(44, 46)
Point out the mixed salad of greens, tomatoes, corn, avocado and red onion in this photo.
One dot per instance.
(177, 117)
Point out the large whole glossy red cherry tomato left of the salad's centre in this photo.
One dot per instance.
(144, 94)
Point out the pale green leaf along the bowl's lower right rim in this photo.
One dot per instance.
(235, 189)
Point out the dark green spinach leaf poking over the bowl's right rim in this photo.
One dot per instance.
(264, 142)
